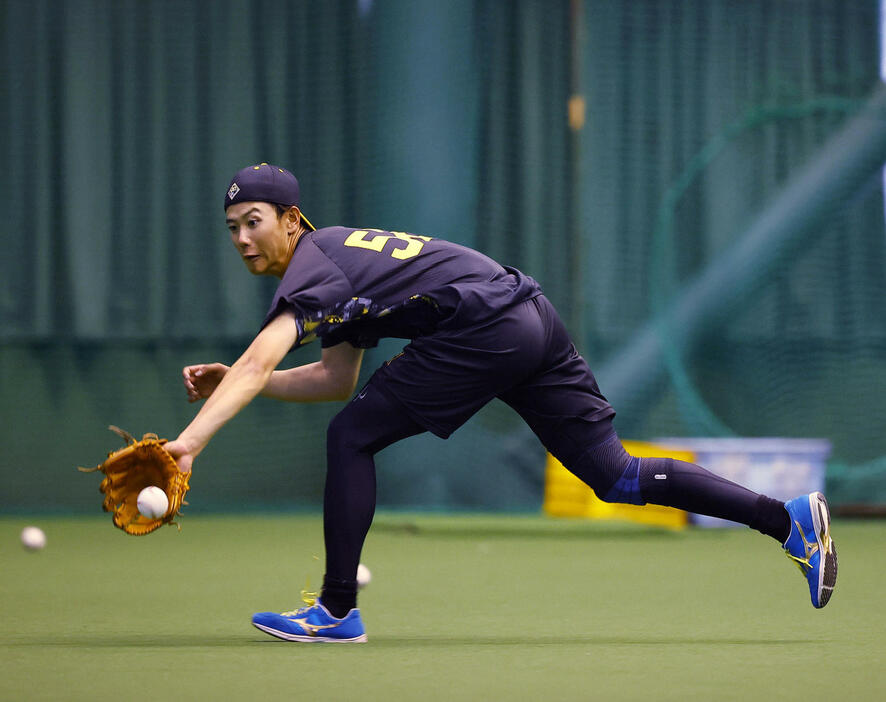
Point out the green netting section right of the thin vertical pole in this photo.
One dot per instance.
(799, 353)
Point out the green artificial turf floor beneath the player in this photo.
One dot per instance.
(460, 608)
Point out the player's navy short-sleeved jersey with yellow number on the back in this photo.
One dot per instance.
(361, 285)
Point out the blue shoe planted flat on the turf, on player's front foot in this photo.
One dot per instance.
(312, 624)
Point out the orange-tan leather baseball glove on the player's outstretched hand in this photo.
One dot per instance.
(131, 469)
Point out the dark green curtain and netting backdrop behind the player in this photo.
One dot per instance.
(124, 119)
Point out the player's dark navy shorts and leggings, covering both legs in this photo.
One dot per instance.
(524, 357)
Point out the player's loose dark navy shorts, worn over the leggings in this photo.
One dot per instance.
(524, 357)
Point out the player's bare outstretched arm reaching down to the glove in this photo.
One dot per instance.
(241, 384)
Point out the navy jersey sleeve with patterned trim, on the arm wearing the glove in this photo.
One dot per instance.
(314, 287)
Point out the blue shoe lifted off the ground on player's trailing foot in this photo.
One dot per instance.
(810, 545)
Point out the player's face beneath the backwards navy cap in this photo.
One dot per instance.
(262, 238)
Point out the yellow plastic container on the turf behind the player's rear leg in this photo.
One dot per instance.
(567, 496)
